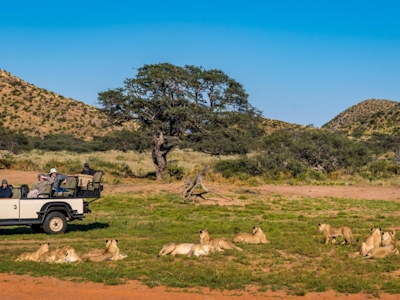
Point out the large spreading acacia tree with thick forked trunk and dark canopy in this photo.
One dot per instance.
(187, 106)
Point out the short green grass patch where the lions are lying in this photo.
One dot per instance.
(295, 261)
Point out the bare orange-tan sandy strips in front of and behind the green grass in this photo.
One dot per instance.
(26, 287)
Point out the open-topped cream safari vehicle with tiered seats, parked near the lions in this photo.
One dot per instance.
(51, 211)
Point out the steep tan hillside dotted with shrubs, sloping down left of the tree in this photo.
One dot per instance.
(39, 112)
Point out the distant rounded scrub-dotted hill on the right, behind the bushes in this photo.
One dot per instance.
(367, 117)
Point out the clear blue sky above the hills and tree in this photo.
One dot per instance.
(302, 62)
